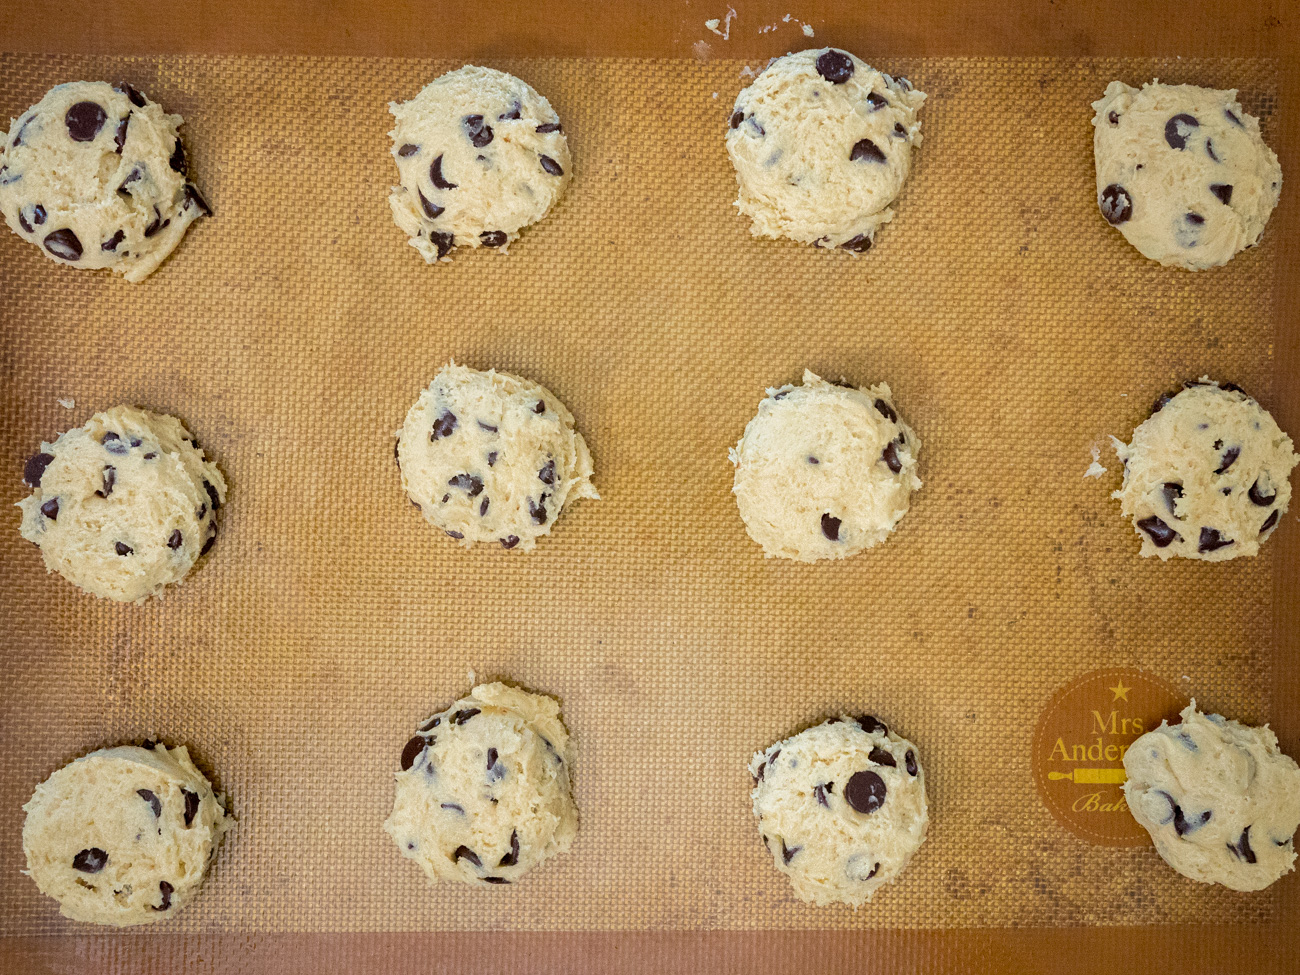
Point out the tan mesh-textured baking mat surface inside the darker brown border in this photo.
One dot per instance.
(293, 331)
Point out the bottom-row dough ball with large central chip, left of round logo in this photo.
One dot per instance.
(842, 808)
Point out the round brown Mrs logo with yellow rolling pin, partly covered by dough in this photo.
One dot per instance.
(1080, 748)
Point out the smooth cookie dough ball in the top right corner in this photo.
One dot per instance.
(1184, 172)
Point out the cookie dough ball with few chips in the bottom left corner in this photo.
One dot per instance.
(124, 835)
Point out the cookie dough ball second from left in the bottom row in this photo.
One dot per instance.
(484, 791)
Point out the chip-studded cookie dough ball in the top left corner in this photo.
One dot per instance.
(96, 176)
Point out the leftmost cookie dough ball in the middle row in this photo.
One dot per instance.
(123, 506)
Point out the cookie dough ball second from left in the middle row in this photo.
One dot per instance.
(492, 458)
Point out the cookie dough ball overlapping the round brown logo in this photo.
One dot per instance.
(1219, 799)
